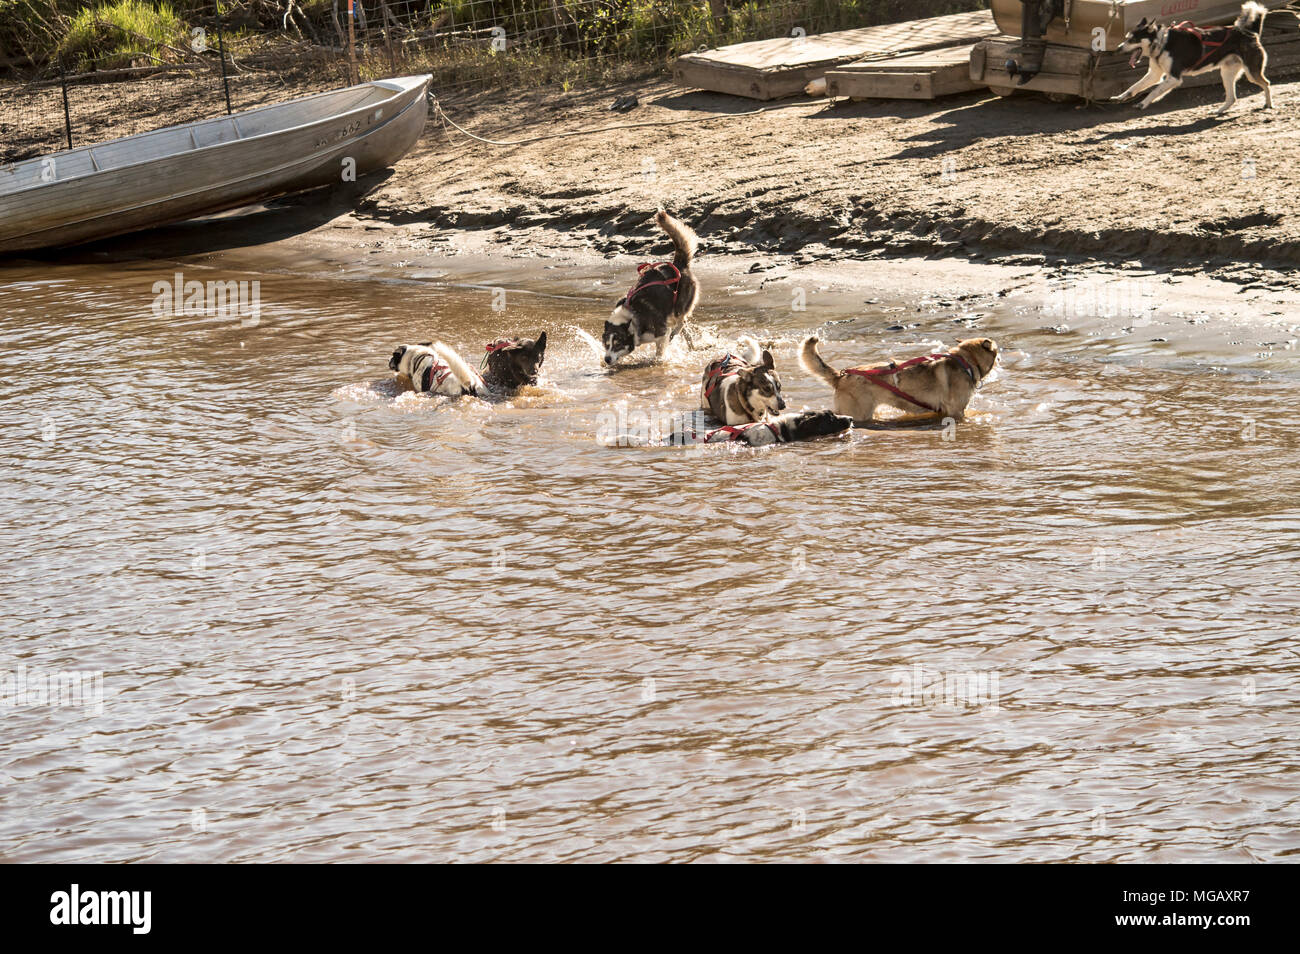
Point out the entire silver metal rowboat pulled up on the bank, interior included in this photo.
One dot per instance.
(198, 168)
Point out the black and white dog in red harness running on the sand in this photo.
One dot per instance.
(1184, 50)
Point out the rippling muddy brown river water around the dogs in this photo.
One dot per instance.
(336, 623)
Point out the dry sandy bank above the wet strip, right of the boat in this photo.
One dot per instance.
(976, 177)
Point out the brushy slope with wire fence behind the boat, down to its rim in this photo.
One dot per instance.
(77, 73)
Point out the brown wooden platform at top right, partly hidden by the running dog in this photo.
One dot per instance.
(1072, 72)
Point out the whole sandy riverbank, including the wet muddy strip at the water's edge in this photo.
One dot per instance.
(963, 203)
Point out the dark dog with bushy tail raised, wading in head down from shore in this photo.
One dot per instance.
(661, 302)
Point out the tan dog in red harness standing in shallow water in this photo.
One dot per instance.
(924, 388)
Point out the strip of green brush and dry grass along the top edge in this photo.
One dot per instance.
(545, 41)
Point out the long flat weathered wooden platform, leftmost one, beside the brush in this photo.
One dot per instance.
(783, 67)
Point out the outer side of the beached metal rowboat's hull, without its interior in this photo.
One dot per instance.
(224, 176)
